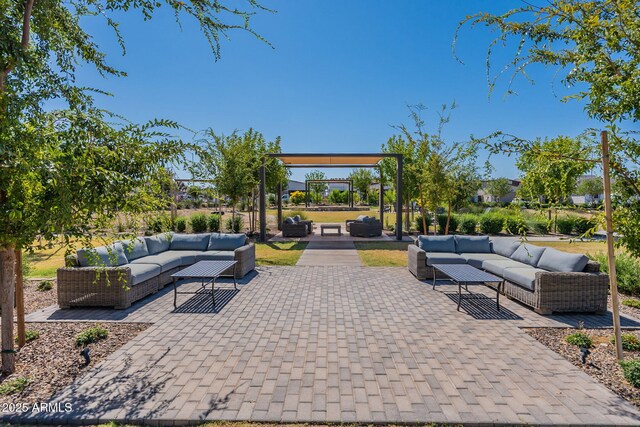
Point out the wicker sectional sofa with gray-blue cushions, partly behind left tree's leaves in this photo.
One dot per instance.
(121, 273)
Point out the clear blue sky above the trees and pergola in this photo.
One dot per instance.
(339, 75)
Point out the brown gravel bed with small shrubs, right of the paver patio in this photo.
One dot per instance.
(601, 363)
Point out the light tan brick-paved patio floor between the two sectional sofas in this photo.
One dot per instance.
(339, 344)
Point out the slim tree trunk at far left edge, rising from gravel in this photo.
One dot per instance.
(7, 296)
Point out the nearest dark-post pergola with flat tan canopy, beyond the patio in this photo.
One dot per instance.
(333, 160)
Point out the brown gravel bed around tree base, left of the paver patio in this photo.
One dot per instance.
(52, 361)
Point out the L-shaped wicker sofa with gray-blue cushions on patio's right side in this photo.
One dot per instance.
(543, 278)
